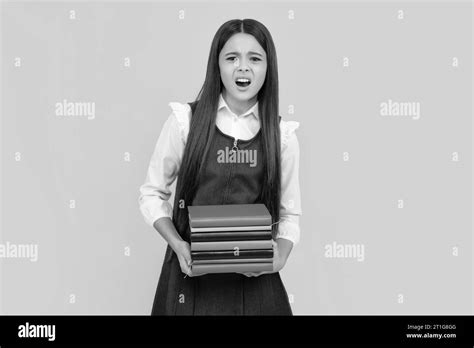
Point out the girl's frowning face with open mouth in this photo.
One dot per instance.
(243, 67)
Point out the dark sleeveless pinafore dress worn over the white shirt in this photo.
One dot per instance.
(222, 293)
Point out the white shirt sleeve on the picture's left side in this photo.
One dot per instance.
(164, 167)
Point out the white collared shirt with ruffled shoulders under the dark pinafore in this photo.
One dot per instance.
(168, 153)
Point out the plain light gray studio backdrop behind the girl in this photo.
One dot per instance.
(81, 251)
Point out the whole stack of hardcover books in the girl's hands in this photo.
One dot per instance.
(230, 238)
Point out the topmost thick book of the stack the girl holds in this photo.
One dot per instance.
(229, 215)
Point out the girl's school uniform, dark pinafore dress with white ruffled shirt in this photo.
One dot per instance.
(220, 183)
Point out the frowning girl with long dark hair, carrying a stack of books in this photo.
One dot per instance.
(236, 107)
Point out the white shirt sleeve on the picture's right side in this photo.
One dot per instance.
(290, 206)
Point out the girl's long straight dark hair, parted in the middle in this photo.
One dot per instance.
(202, 126)
